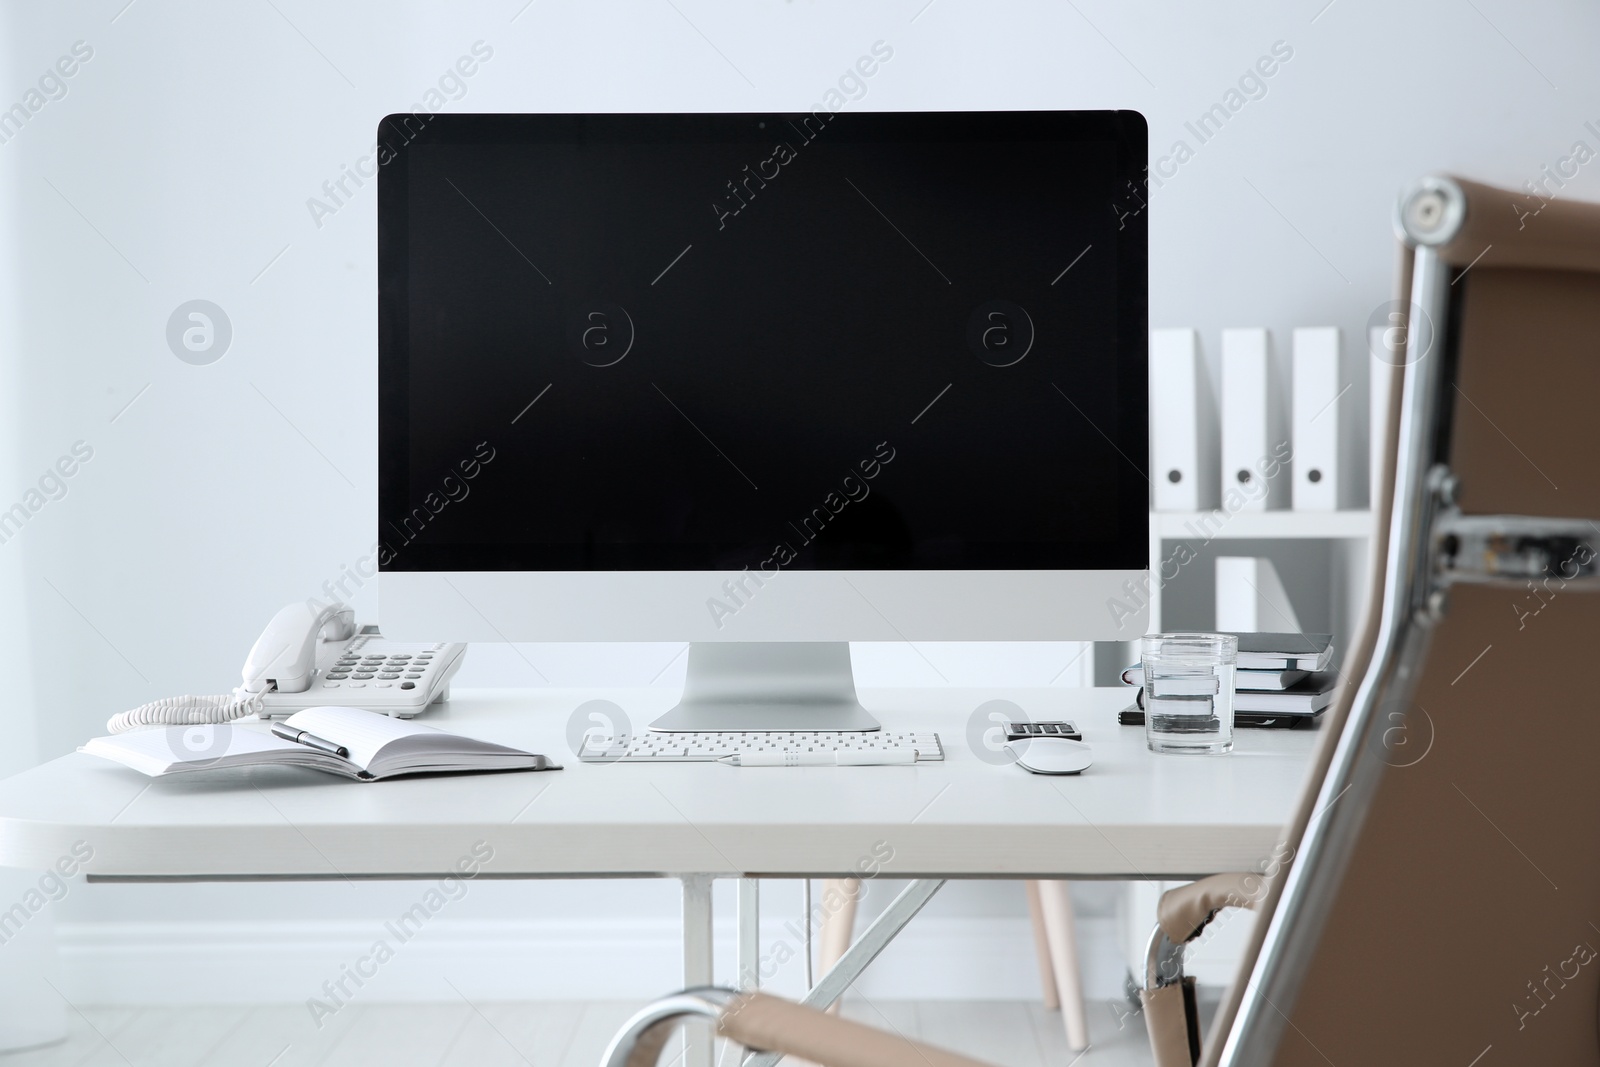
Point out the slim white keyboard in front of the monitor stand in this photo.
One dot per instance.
(710, 746)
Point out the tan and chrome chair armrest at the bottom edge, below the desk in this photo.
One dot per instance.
(774, 1026)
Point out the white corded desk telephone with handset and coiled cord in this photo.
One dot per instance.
(314, 655)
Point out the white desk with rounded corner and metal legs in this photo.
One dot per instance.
(1134, 815)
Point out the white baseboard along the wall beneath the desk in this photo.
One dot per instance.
(279, 962)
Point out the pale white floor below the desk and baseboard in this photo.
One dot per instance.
(1007, 1034)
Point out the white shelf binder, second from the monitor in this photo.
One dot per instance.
(1255, 426)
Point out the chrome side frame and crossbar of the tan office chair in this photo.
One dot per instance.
(1430, 548)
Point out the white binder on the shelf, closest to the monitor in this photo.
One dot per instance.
(1183, 425)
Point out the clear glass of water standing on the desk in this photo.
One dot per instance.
(1190, 692)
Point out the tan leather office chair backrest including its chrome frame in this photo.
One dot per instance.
(1444, 901)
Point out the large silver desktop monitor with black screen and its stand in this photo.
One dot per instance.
(767, 385)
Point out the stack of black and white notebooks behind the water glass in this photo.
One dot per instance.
(1282, 681)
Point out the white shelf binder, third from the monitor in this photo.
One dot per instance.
(1324, 423)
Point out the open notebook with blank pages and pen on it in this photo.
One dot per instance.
(378, 748)
